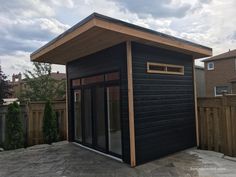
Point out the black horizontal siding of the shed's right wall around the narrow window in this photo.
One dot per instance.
(163, 104)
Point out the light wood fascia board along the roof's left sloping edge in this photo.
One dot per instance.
(64, 39)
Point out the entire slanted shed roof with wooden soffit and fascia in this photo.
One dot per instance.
(98, 32)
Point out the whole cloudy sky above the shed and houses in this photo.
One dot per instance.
(26, 25)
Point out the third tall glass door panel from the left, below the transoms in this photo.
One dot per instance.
(100, 120)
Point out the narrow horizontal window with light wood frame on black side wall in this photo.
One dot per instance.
(163, 68)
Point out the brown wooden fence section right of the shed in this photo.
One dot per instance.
(217, 124)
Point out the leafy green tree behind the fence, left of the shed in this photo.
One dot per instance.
(40, 86)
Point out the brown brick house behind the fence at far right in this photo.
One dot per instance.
(220, 74)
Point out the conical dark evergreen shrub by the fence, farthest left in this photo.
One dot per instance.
(14, 128)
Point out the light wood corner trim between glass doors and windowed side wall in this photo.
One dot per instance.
(131, 105)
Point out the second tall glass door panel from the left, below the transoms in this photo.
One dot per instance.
(88, 116)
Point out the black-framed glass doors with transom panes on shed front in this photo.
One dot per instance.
(97, 113)
